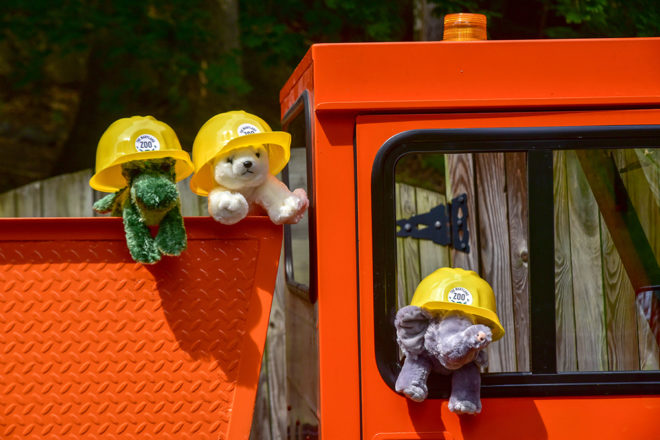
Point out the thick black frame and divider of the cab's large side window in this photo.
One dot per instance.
(539, 143)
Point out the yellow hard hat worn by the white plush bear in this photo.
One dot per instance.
(231, 130)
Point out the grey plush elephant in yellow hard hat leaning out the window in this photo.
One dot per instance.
(451, 320)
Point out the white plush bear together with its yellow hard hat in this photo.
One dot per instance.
(236, 157)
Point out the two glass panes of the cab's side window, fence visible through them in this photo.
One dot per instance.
(605, 308)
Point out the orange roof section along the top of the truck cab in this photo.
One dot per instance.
(442, 75)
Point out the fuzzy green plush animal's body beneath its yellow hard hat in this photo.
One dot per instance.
(151, 198)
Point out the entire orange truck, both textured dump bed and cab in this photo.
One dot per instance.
(534, 163)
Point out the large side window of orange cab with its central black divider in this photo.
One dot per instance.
(581, 294)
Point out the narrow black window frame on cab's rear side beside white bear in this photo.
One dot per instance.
(302, 109)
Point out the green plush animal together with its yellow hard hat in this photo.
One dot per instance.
(140, 160)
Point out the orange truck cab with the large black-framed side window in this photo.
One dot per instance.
(543, 156)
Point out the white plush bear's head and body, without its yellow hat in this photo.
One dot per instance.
(245, 184)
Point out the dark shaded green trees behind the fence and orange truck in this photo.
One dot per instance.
(73, 66)
